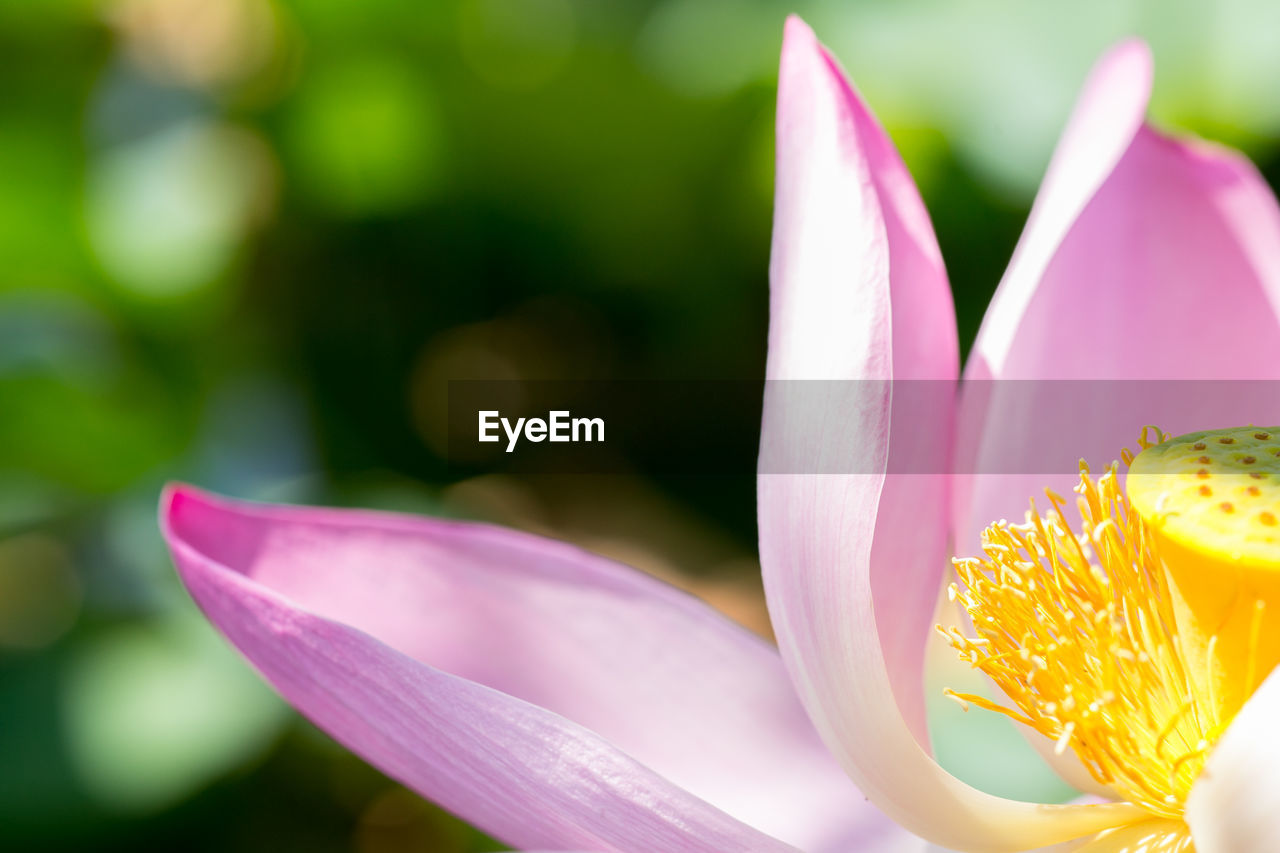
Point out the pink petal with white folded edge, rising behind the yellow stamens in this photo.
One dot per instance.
(1169, 273)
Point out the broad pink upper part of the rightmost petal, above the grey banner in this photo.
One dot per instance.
(1172, 272)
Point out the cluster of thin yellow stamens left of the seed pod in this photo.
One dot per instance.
(1078, 632)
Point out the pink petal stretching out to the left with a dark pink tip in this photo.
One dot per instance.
(348, 614)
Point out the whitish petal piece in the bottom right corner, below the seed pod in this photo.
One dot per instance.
(1236, 804)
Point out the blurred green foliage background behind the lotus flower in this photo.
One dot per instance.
(246, 243)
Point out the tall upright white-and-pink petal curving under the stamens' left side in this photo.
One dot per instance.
(836, 317)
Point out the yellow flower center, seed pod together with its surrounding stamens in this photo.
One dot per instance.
(1136, 642)
